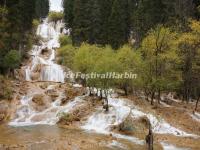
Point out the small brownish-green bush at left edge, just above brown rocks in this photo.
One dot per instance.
(5, 89)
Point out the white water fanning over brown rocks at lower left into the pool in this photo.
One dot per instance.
(27, 116)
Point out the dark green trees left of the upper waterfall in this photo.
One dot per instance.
(17, 28)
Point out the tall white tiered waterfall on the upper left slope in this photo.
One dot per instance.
(49, 71)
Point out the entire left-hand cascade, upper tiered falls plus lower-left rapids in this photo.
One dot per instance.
(44, 69)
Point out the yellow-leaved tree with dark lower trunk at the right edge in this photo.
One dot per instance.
(188, 45)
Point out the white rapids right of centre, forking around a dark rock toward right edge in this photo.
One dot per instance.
(103, 122)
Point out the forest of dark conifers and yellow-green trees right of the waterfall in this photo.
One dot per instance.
(158, 40)
